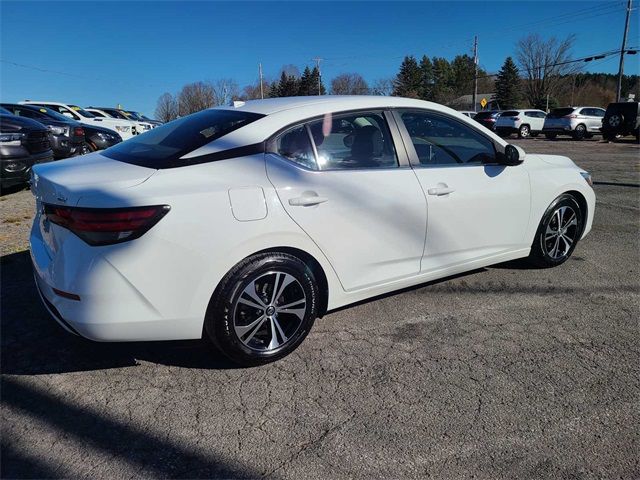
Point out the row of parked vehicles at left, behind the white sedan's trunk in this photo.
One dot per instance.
(68, 130)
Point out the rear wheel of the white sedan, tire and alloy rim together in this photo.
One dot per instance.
(263, 309)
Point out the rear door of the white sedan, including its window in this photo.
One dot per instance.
(344, 182)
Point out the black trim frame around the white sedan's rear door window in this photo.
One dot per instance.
(396, 138)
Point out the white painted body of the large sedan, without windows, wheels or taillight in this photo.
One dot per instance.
(378, 231)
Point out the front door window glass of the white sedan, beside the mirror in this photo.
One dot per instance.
(440, 140)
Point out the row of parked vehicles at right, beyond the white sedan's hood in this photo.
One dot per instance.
(619, 119)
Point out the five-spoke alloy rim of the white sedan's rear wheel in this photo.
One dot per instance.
(269, 311)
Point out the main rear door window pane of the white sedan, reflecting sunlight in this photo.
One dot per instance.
(356, 140)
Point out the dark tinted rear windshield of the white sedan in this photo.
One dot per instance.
(163, 146)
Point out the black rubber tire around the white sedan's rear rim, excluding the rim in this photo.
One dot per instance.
(219, 321)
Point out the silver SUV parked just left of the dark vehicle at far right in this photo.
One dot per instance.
(576, 122)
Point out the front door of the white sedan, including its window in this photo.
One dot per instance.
(476, 209)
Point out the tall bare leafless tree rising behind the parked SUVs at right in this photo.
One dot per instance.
(543, 63)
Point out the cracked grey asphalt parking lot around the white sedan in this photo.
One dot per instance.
(505, 372)
